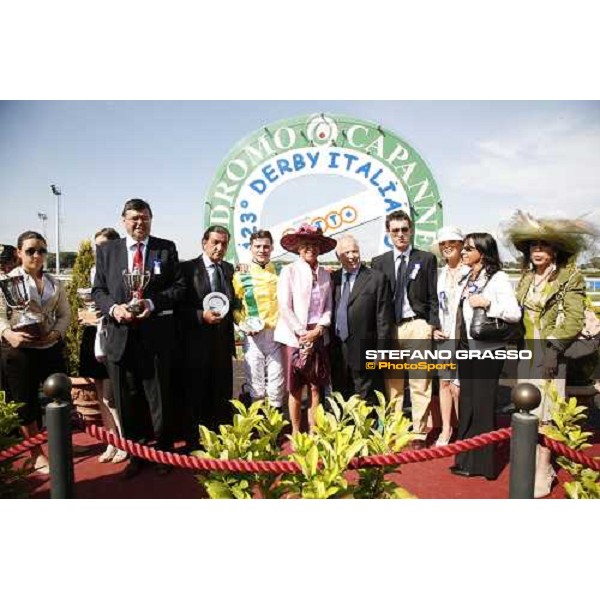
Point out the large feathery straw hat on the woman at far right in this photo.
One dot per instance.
(571, 236)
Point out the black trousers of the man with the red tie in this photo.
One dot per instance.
(142, 384)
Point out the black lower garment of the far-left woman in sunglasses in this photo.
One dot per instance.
(24, 370)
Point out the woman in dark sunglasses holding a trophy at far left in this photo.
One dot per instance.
(29, 357)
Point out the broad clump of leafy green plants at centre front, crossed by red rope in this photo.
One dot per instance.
(350, 429)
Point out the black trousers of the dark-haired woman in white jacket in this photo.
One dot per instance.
(476, 412)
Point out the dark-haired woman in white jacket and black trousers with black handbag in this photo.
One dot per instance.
(488, 287)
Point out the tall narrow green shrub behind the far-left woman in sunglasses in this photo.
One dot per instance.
(81, 279)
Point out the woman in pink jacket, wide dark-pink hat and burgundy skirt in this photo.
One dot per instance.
(304, 293)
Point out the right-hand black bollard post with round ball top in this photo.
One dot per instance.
(526, 397)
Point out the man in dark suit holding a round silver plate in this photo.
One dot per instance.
(207, 341)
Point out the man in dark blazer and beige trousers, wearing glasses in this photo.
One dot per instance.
(412, 275)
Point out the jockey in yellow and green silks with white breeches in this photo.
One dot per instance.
(256, 313)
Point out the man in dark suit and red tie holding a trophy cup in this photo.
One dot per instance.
(139, 347)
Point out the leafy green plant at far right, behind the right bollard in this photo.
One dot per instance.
(567, 417)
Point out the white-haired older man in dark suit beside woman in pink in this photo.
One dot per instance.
(362, 319)
